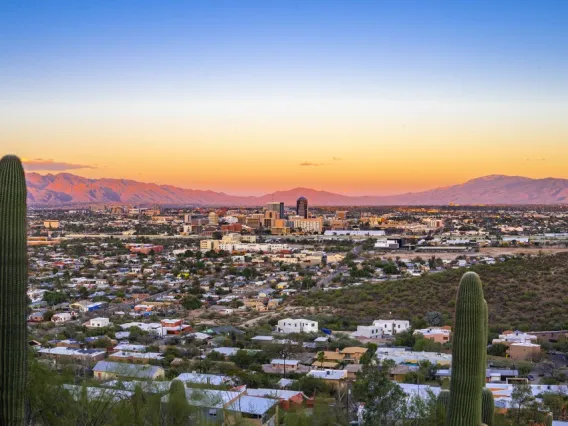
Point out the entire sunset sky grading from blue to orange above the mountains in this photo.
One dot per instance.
(358, 97)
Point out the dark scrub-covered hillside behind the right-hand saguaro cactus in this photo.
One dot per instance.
(526, 294)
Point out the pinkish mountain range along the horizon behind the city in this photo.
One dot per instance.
(65, 189)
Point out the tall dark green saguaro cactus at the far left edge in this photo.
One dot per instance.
(13, 286)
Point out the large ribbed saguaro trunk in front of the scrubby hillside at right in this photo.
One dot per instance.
(468, 354)
